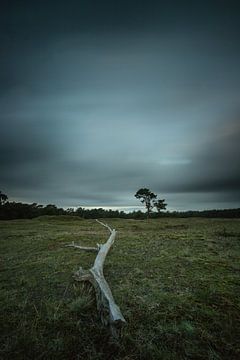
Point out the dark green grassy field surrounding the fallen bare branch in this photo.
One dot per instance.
(177, 282)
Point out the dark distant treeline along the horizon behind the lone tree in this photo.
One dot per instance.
(18, 210)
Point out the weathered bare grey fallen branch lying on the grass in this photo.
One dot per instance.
(109, 311)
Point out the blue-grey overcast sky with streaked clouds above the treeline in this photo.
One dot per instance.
(101, 98)
